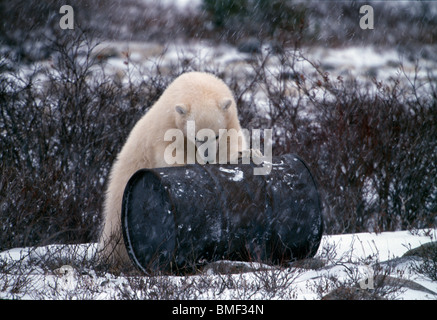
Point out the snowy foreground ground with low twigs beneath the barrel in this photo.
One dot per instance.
(369, 264)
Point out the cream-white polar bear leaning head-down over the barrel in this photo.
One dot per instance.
(194, 97)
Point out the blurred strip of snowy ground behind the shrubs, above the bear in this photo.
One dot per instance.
(132, 62)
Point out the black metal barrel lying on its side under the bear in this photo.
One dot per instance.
(175, 218)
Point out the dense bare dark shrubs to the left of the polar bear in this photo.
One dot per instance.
(60, 130)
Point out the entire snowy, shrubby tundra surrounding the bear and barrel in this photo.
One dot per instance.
(359, 106)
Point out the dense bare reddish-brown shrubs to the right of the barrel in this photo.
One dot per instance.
(371, 147)
